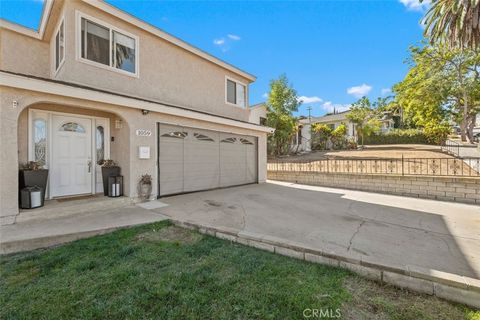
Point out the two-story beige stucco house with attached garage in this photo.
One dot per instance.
(96, 83)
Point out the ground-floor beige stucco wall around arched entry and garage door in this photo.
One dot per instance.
(124, 150)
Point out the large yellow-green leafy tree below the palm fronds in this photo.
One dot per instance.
(442, 83)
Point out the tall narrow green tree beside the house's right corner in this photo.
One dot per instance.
(282, 102)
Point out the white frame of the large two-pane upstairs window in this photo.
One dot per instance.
(78, 44)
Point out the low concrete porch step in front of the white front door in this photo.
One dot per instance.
(64, 208)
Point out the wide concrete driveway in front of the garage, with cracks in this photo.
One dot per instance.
(383, 229)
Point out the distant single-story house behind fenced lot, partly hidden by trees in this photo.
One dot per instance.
(302, 141)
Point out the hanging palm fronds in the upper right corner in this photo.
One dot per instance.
(454, 22)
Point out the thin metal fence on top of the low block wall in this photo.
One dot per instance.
(457, 167)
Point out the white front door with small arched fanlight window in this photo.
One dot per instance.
(72, 167)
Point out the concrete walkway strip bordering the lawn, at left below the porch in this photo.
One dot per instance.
(40, 233)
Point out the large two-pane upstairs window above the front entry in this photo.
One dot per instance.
(108, 46)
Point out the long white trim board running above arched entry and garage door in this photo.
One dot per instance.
(62, 89)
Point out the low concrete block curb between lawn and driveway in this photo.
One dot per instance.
(441, 284)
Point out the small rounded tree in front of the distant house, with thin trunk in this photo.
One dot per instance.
(364, 117)
